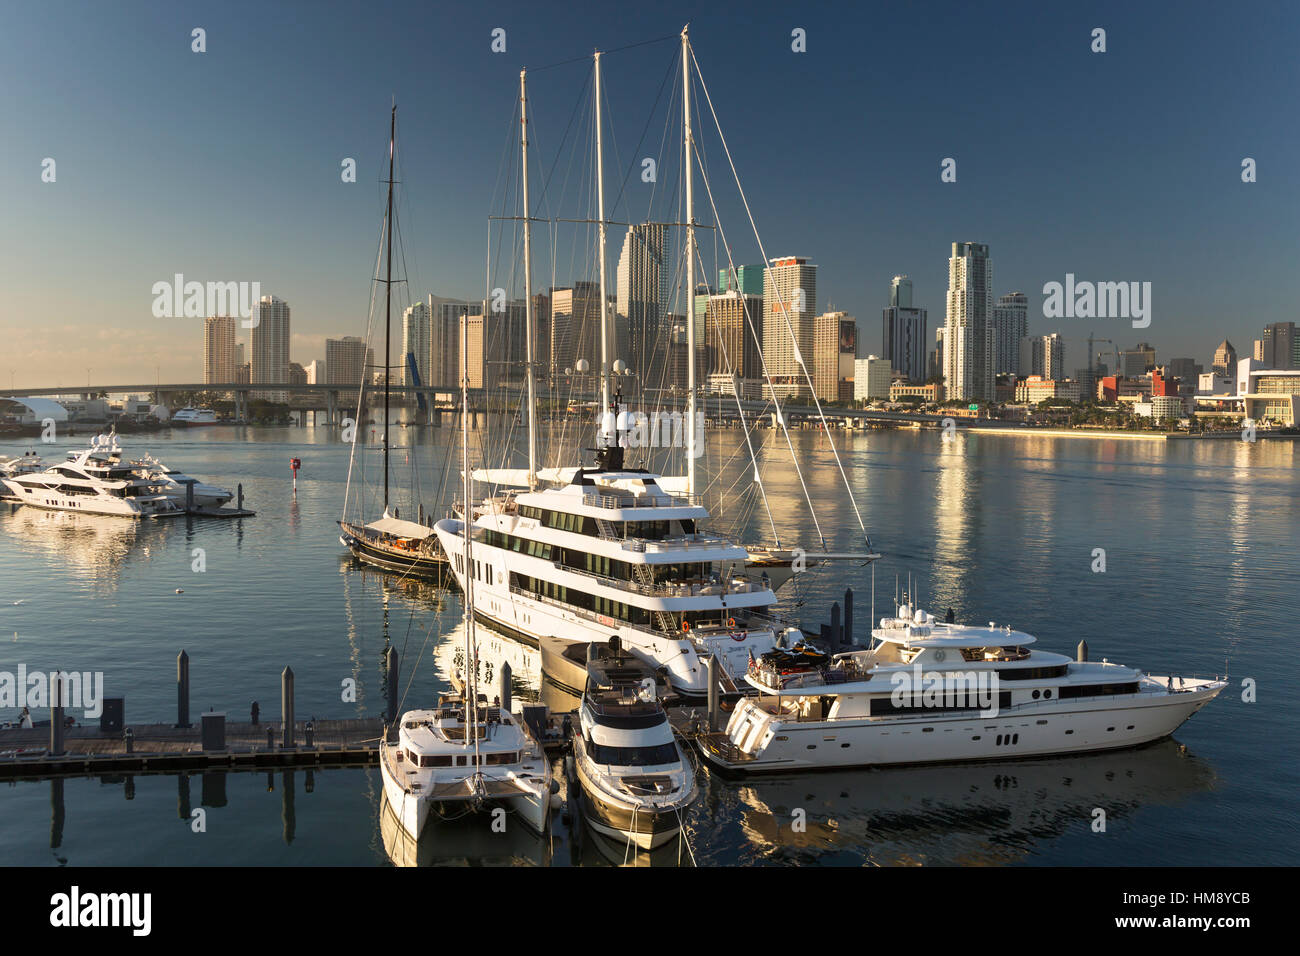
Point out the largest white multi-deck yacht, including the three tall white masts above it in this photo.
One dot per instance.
(604, 550)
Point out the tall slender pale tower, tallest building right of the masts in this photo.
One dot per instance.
(969, 331)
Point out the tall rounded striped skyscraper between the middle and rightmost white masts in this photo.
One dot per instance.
(643, 300)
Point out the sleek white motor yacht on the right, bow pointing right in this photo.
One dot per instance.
(935, 693)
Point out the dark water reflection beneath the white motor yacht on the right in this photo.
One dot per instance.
(969, 815)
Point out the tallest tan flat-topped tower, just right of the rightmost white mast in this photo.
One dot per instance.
(790, 310)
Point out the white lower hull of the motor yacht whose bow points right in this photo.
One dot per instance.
(1026, 732)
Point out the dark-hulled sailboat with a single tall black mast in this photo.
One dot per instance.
(391, 542)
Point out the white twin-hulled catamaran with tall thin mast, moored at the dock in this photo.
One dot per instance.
(466, 754)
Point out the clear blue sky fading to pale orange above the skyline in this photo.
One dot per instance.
(226, 166)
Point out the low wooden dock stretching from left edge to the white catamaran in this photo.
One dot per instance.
(161, 747)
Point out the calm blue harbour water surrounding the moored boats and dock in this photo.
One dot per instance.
(1202, 569)
